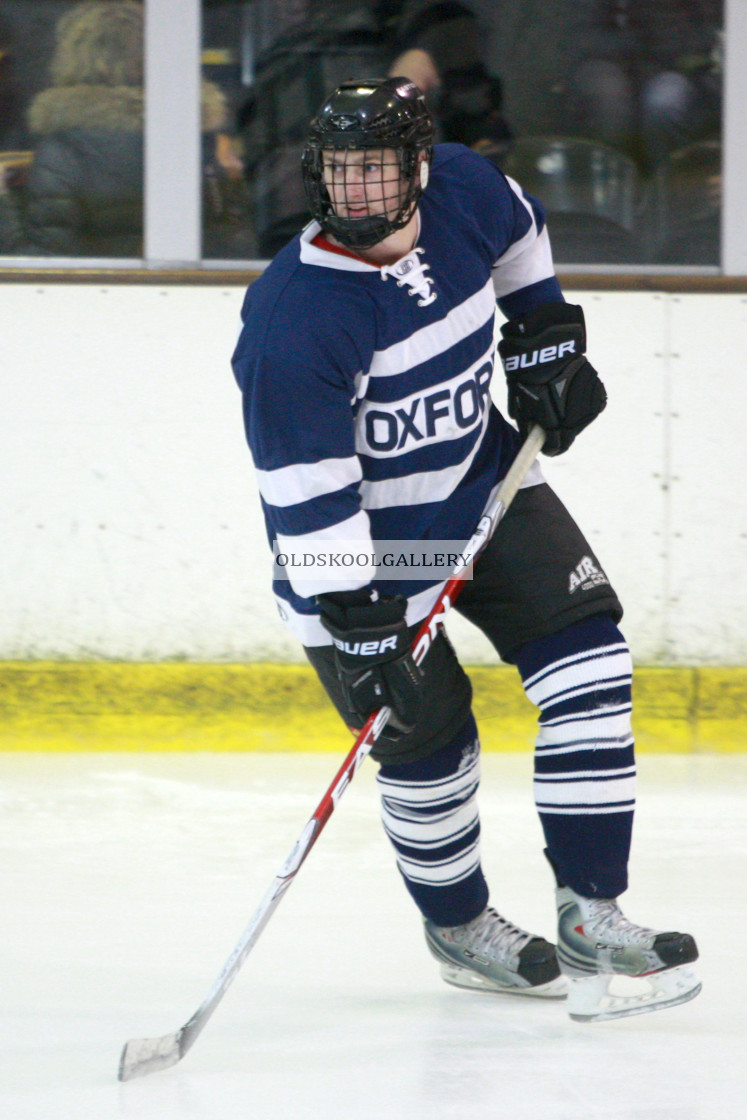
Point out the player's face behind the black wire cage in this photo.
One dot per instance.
(363, 184)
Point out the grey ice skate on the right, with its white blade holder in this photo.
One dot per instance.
(615, 968)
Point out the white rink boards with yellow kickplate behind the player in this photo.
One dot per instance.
(138, 613)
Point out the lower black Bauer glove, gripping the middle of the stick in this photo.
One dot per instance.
(372, 656)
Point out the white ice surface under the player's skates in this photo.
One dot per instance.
(126, 882)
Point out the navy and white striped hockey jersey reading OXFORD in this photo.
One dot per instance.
(367, 390)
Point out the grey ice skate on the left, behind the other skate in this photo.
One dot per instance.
(492, 955)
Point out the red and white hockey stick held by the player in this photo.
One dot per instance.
(147, 1056)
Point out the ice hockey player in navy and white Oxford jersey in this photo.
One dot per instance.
(366, 363)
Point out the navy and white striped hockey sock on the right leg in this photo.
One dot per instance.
(584, 761)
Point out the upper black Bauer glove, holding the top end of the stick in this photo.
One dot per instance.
(550, 382)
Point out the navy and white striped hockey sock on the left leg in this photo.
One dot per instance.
(431, 815)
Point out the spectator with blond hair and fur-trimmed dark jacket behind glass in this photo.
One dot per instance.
(85, 192)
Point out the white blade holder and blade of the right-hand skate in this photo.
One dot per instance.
(594, 1000)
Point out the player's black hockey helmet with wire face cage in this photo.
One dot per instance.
(362, 202)
